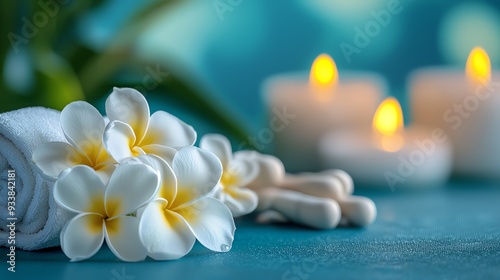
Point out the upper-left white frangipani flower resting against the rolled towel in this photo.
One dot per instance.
(83, 127)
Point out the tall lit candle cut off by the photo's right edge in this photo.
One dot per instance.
(467, 108)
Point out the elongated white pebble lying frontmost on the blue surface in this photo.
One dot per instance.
(315, 212)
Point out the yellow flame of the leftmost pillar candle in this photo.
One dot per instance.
(324, 74)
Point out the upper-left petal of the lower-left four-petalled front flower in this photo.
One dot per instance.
(79, 190)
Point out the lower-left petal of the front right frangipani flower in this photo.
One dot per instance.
(164, 233)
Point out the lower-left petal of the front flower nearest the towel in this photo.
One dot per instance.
(82, 236)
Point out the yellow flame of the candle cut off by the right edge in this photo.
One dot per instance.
(478, 66)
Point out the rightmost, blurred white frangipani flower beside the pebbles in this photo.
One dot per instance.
(237, 173)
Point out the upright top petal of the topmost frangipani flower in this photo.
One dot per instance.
(129, 106)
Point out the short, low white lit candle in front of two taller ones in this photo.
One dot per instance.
(389, 155)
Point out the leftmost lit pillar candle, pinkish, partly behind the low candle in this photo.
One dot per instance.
(304, 106)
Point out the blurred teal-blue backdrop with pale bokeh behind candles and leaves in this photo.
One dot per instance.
(230, 52)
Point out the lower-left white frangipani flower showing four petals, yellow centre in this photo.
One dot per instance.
(103, 211)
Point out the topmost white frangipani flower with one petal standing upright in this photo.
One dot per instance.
(132, 132)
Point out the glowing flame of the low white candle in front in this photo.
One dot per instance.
(388, 123)
